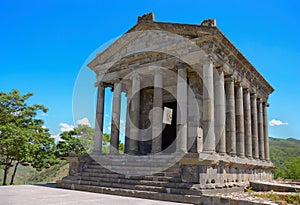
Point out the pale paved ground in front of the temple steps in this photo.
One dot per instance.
(40, 194)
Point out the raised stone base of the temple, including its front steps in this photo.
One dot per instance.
(184, 180)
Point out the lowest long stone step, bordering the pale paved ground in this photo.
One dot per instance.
(192, 199)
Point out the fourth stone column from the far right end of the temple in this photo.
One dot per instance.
(247, 124)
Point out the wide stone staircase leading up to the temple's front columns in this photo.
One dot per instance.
(141, 176)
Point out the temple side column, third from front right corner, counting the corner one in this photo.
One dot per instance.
(230, 117)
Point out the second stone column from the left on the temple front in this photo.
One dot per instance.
(115, 123)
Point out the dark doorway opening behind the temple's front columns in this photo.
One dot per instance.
(169, 132)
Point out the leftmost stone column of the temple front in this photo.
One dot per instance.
(99, 119)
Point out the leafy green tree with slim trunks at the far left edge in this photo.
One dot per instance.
(24, 140)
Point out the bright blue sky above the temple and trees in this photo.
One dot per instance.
(43, 45)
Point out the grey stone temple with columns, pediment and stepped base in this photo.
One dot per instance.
(196, 116)
